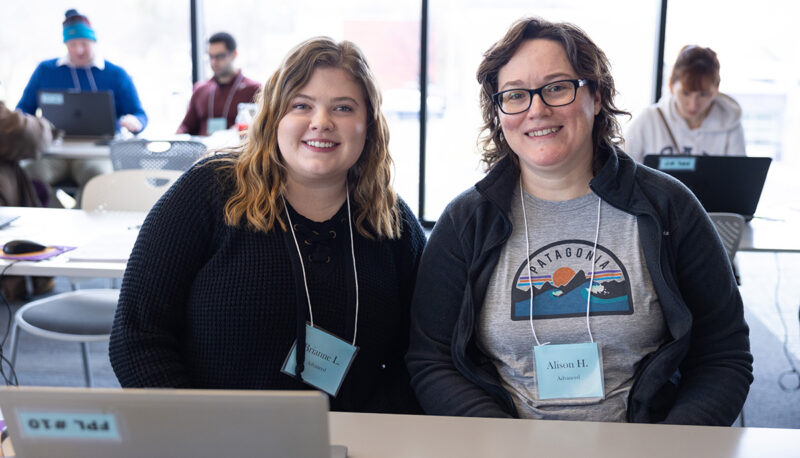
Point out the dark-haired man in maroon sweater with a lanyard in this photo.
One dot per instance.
(213, 105)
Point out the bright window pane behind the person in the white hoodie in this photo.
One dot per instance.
(760, 68)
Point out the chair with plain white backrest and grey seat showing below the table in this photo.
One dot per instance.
(87, 315)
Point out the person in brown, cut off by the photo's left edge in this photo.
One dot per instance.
(22, 136)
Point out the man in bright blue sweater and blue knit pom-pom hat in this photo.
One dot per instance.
(82, 69)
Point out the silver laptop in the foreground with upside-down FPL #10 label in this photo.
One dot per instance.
(103, 422)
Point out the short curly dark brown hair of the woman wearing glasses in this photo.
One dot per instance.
(588, 61)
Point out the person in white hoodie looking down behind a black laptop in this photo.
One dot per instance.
(694, 118)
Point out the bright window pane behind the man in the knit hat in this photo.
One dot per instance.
(148, 38)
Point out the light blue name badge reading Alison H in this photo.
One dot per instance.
(569, 371)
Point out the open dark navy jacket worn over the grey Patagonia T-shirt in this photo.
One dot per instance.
(700, 376)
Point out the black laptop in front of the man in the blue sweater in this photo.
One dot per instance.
(80, 114)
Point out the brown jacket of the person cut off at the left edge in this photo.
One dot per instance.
(22, 136)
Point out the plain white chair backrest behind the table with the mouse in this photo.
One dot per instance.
(131, 190)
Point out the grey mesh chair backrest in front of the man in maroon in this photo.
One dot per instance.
(164, 155)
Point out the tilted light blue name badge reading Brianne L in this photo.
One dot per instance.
(328, 359)
